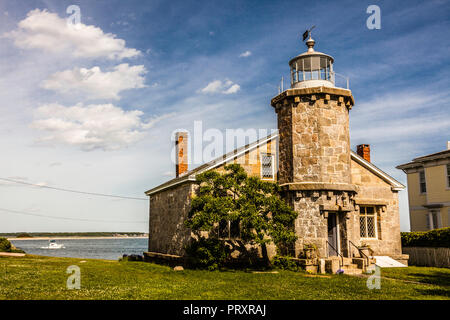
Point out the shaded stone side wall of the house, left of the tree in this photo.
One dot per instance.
(168, 211)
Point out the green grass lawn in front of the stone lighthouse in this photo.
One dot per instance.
(33, 277)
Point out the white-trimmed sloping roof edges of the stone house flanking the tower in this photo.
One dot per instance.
(190, 175)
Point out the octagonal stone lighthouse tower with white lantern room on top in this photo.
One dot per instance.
(314, 152)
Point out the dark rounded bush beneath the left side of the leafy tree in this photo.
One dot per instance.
(208, 254)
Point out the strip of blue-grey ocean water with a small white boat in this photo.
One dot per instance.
(109, 249)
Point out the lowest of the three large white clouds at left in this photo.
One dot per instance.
(92, 127)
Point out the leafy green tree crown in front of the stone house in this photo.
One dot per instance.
(263, 216)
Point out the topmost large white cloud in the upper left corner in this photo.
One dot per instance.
(47, 31)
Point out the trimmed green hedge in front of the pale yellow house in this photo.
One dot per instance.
(433, 238)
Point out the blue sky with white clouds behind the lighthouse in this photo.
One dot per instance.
(164, 54)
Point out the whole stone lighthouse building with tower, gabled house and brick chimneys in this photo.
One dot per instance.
(343, 200)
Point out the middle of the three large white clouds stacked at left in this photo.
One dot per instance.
(96, 84)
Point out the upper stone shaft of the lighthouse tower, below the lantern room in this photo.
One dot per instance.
(314, 136)
